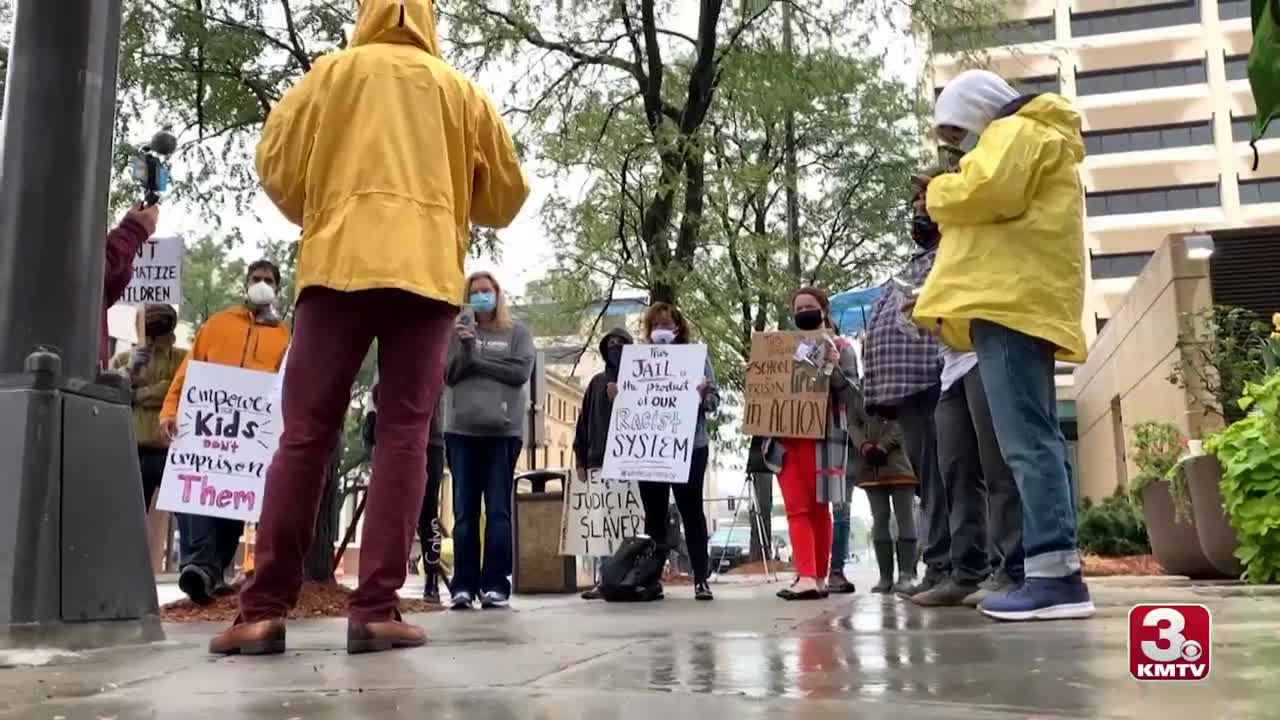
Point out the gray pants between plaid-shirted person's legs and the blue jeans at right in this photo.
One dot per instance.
(984, 508)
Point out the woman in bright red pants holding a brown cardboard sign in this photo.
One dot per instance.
(812, 472)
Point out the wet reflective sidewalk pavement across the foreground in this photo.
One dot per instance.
(744, 657)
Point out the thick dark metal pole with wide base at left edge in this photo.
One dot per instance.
(74, 549)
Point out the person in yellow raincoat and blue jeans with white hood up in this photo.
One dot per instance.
(1009, 285)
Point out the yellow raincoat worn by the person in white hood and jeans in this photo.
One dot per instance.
(1013, 233)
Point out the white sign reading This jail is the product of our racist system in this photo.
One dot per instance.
(656, 413)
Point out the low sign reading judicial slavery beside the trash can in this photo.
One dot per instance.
(598, 516)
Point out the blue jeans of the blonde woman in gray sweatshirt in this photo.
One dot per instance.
(484, 471)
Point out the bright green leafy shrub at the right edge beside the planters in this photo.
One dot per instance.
(1250, 454)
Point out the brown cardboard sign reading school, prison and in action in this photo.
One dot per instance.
(788, 385)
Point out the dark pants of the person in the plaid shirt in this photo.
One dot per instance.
(916, 416)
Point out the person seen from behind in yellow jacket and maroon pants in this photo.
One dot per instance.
(386, 157)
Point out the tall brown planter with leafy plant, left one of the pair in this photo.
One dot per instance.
(1160, 490)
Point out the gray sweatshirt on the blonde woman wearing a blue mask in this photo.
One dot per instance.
(488, 382)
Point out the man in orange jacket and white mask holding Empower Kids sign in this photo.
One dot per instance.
(246, 336)
